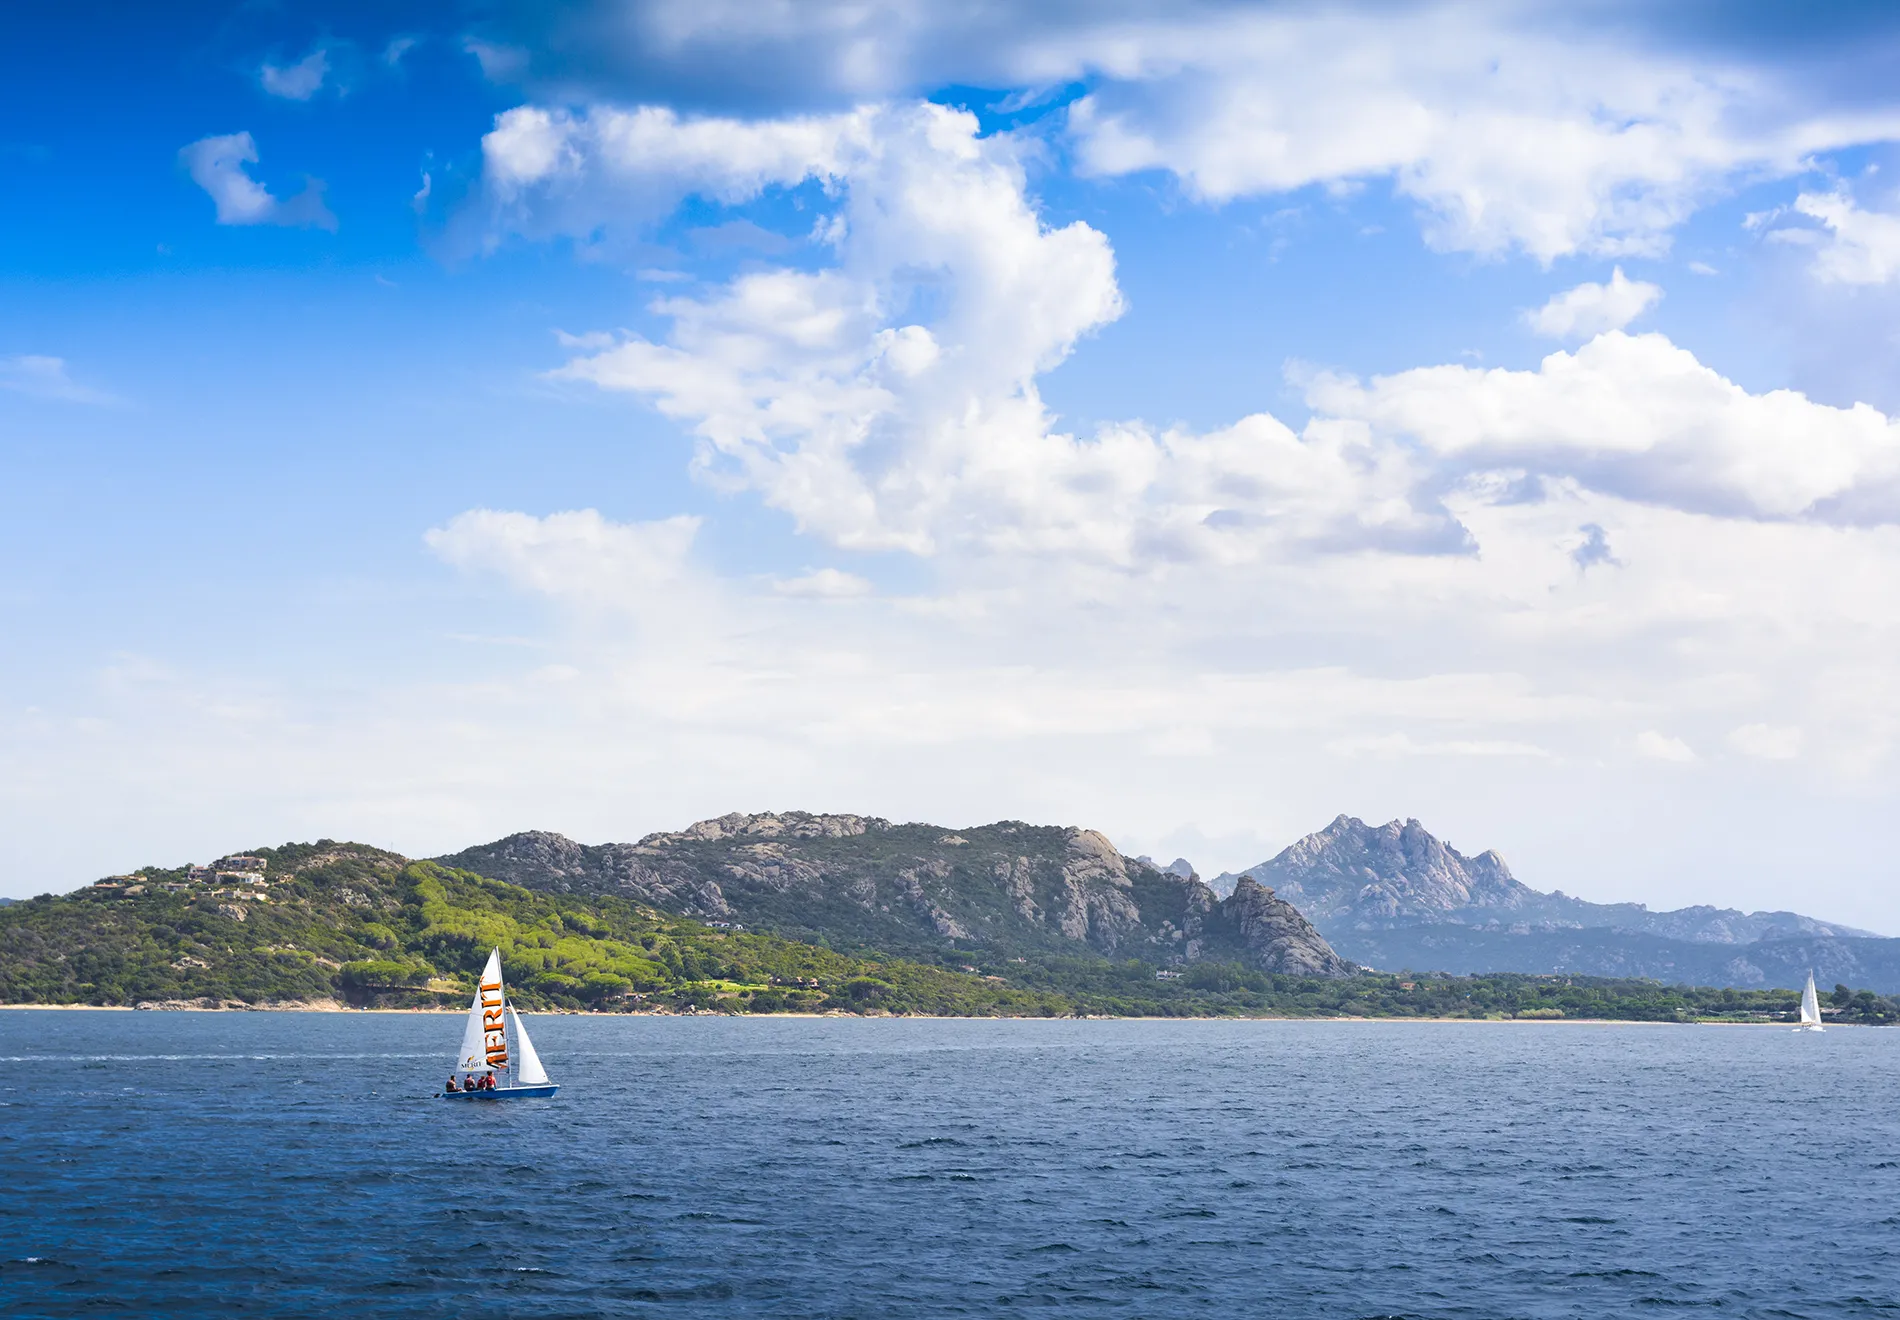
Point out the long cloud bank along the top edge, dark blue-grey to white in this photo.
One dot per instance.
(1515, 128)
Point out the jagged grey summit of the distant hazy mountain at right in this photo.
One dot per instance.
(1392, 871)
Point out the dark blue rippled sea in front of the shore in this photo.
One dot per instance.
(301, 1165)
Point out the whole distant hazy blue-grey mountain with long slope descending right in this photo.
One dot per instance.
(1396, 896)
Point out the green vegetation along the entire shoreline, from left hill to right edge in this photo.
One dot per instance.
(368, 928)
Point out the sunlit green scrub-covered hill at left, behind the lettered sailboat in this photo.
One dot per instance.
(362, 926)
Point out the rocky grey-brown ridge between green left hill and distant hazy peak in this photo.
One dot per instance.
(869, 884)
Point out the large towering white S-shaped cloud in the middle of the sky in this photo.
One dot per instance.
(886, 434)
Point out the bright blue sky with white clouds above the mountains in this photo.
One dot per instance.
(1183, 421)
